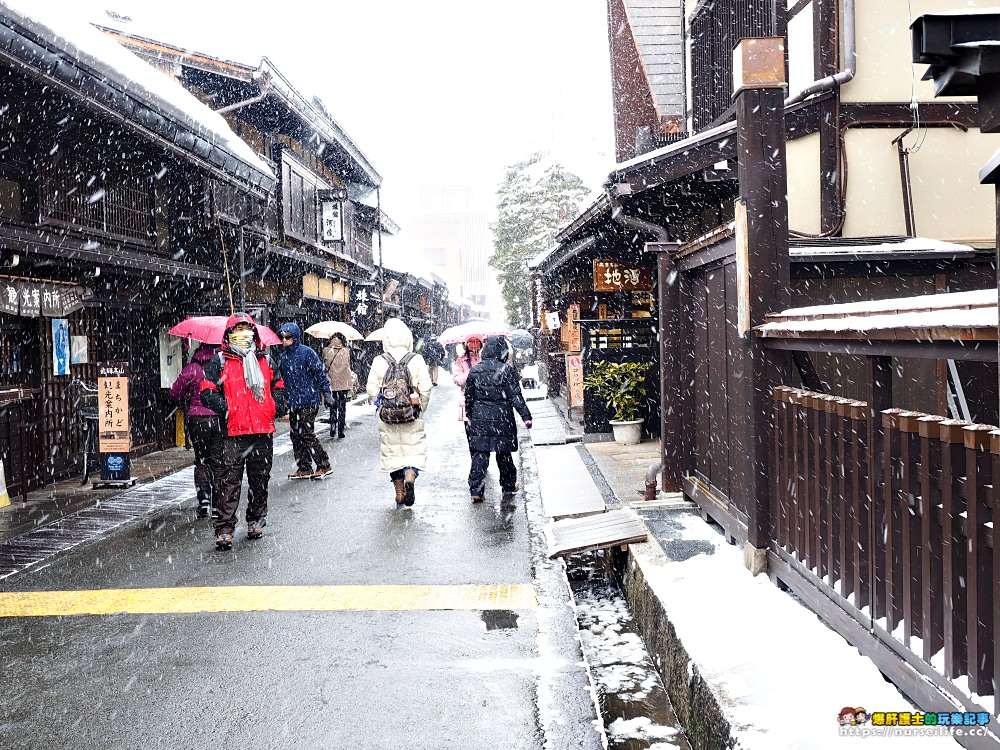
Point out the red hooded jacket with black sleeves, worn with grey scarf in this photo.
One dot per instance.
(224, 389)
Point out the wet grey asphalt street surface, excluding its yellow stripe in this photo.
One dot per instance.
(331, 679)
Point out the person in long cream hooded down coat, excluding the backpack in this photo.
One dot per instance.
(402, 447)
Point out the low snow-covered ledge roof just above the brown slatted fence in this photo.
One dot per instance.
(952, 316)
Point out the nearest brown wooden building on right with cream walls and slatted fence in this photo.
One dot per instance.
(818, 174)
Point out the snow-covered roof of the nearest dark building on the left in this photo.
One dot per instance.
(137, 91)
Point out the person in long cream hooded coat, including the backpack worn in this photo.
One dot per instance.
(400, 385)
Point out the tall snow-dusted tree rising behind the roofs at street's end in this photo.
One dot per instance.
(536, 199)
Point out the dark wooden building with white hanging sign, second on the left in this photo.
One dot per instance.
(303, 257)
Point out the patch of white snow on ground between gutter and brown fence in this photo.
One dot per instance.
(781, 675)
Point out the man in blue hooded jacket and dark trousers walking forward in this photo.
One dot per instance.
(306, 385)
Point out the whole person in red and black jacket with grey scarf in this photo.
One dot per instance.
(244, 387)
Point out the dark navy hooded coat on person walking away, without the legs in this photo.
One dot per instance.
(492, 394)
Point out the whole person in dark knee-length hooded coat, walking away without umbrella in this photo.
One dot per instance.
(492, 394)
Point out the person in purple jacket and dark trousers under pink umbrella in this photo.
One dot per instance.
(203, 428)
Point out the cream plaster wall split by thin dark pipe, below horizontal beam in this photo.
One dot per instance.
(948, 201)
